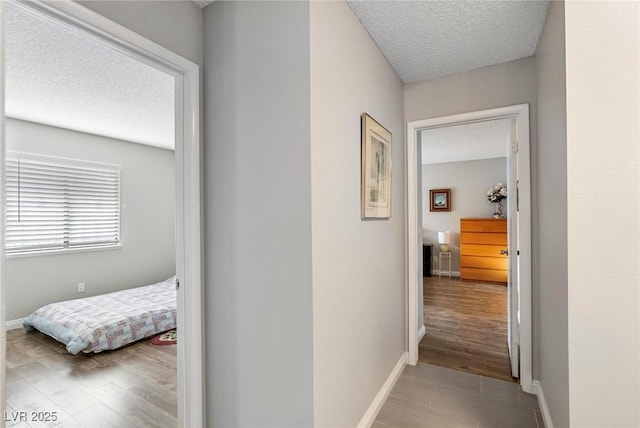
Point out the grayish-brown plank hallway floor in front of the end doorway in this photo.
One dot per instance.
(428, 396)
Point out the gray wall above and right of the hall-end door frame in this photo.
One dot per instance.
(495, 86)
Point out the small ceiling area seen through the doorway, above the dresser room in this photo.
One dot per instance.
(480, 140)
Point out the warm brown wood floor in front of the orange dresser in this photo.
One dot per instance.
(466, 327)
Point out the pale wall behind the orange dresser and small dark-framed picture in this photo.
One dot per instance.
(469, 182)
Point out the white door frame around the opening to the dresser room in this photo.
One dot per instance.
(414, 231)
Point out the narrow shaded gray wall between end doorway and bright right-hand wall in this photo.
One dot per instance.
(552, 220)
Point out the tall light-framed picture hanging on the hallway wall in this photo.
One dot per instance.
(376, 169)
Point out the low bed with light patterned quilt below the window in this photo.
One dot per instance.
(108, 321)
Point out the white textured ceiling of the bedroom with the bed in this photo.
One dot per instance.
(60, 77)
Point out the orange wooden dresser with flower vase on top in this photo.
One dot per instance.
(481, 240)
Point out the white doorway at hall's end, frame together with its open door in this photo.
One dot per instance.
(519, 295)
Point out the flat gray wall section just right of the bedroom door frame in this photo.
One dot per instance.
(258, 215)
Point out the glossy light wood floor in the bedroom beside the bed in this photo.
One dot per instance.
(134, 386)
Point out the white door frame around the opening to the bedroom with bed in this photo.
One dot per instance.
(190, 355)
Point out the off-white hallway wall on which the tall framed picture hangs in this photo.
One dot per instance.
(358, 266)
